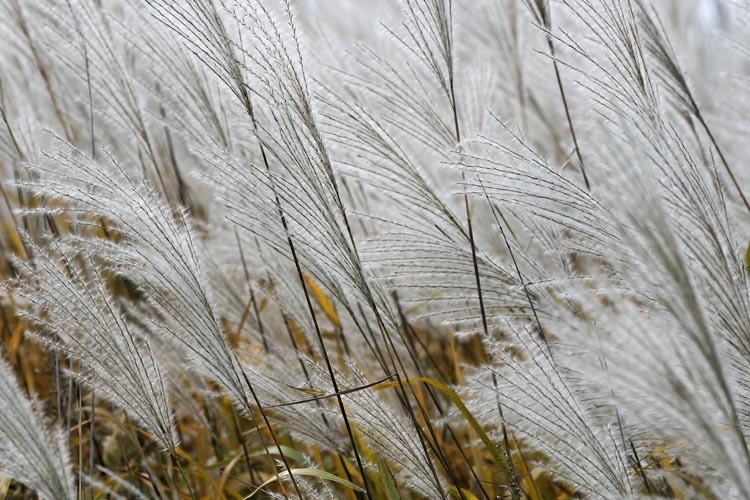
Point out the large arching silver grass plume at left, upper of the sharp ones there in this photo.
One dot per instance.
(157, 251)
